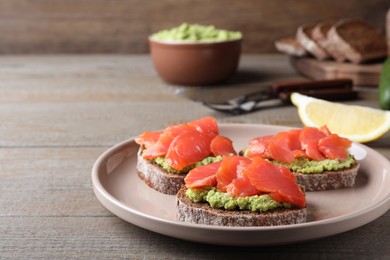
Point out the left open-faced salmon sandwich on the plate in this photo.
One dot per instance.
(166, 156)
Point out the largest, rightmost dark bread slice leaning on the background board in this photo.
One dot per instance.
(358, 41)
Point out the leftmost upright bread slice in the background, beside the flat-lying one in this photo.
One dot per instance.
(304, 37)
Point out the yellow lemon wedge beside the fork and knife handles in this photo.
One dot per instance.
(357, 123)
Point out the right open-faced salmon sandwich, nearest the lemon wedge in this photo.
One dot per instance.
(320, 159)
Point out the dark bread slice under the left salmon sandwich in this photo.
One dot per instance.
(157, 178)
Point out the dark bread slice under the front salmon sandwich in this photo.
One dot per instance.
(202, 213)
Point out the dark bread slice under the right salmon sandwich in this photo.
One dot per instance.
(329, 180)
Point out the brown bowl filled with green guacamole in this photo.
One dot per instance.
(195, 55)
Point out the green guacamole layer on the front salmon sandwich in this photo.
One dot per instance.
(218, 199)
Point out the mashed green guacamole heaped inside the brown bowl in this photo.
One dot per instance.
(196, 33)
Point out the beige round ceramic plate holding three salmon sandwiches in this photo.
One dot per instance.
(119, 189)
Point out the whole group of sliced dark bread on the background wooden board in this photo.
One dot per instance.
(344, 40)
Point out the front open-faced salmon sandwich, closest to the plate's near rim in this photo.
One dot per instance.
(242, 192)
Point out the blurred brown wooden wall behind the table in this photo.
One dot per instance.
(122, 26)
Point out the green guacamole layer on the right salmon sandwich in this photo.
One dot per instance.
(305, 165)
